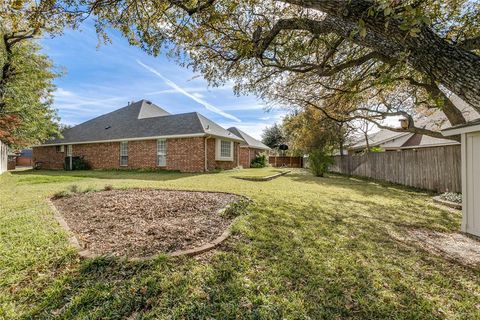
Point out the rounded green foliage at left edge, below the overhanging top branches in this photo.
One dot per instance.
(26, 114)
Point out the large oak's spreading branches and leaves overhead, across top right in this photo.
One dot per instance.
(319, 52)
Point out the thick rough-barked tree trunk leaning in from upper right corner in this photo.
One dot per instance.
(457, 69)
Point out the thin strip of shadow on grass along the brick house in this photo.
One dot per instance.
(48, 176)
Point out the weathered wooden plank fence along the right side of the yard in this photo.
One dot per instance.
(437, 168)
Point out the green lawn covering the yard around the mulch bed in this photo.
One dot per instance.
(311, 248)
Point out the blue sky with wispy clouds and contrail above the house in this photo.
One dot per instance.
(101, 79)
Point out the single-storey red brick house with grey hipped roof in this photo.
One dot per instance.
(143, 135)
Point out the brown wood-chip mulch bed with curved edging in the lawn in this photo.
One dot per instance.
(144, 222)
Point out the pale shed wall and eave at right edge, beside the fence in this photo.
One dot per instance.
(470, 136)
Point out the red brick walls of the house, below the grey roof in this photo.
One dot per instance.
(183, 154)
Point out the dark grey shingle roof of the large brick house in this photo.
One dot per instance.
(141, 119)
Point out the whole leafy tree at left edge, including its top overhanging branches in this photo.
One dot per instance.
(26, 78)
